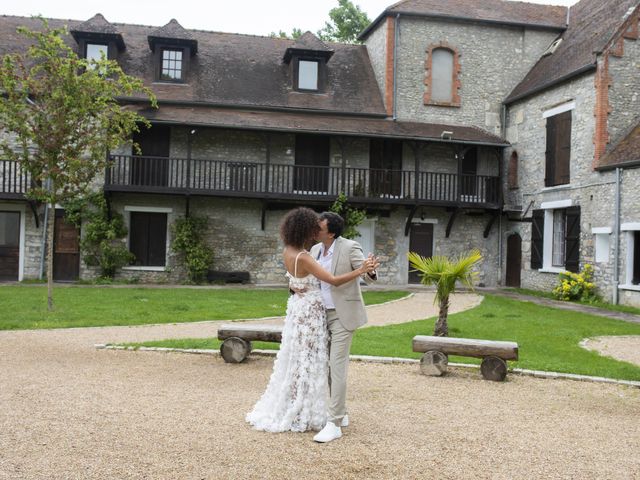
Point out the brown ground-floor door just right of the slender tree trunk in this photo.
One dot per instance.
(66, 249)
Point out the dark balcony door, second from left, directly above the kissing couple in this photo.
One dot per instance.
(311, 174)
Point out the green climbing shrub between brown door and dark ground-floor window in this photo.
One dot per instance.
(101, 243)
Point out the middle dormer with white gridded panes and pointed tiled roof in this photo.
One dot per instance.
(173, 48)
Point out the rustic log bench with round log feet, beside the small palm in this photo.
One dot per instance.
(436, 350)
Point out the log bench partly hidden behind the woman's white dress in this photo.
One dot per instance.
(238, 337)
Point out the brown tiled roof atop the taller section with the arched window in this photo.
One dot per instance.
(491, 11)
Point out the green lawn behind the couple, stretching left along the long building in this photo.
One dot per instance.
(25, 307)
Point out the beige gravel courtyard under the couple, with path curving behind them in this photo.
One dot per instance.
(70, 411)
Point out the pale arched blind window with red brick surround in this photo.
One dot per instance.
(442, 74)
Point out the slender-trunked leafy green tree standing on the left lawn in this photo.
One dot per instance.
(63, 117)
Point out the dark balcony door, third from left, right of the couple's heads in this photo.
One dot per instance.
(385, 162)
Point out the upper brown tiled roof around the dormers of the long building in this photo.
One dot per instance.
(235, 69)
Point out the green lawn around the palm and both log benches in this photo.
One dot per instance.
(548, 338)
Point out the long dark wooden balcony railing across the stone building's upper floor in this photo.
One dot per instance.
(261, 180)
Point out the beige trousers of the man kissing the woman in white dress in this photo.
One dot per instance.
(339, 347)
